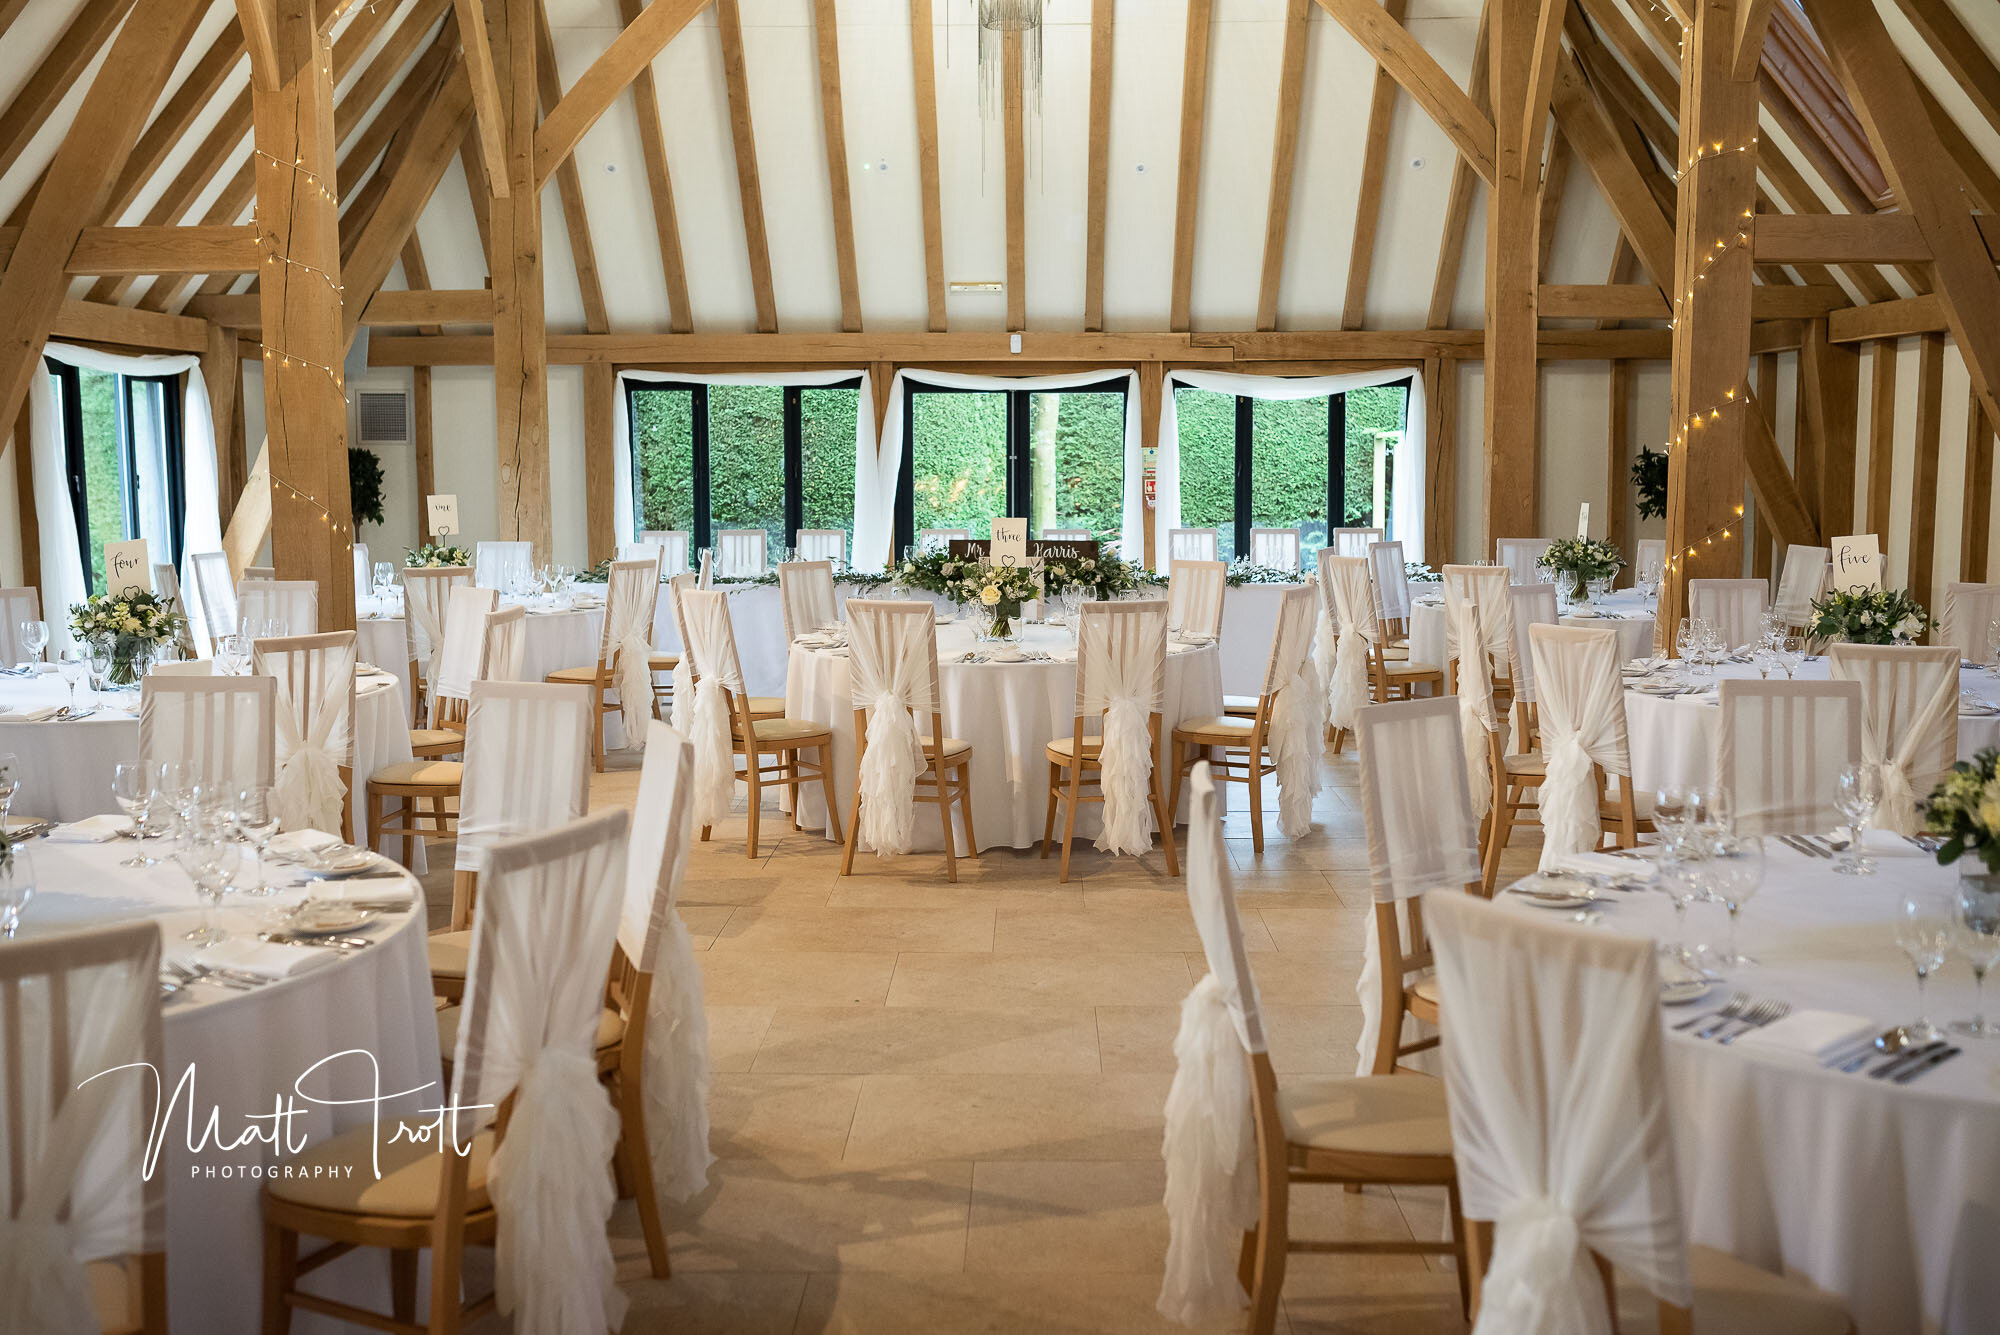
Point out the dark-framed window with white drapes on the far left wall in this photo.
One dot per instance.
(121, 437)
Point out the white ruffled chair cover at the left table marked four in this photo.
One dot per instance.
(315, 678)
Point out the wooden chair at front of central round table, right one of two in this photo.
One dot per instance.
(1121, 655)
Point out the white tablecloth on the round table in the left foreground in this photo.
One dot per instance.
(247, 1050)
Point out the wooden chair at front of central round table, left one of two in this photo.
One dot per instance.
(895, 655)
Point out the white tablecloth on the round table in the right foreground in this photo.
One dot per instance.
(1883, 1194)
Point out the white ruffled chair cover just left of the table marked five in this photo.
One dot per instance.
(1583, 726)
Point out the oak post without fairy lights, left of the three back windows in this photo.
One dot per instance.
(521, 333)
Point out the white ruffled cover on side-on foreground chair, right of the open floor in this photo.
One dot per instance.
(1211, 1132)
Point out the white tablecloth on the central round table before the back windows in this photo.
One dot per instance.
(1007, 712)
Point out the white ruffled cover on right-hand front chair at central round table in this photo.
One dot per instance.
(1121, 674)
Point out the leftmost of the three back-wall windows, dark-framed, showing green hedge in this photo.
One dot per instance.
(779, 459)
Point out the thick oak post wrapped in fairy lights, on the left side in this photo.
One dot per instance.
(299, 299)
